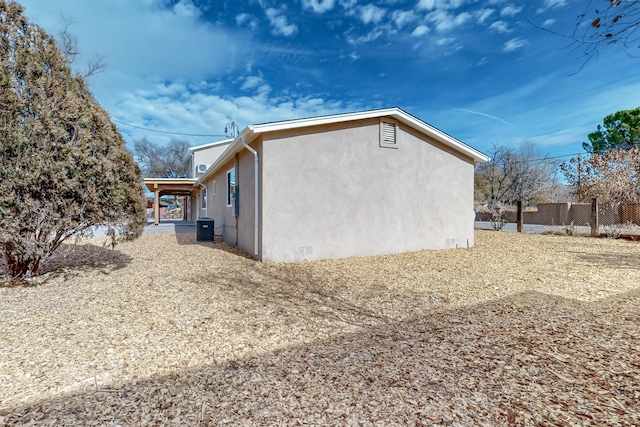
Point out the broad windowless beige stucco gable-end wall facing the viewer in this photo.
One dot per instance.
(332, 192)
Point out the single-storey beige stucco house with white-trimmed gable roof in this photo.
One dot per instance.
(358, 184)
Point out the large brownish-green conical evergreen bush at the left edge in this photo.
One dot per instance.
(63, 165)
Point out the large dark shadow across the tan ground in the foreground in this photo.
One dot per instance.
(528, 359)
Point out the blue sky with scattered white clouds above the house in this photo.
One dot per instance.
(476, 69)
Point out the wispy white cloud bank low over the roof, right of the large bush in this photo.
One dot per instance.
(194, 111)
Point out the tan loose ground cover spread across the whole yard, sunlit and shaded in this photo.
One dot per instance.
(520, 330)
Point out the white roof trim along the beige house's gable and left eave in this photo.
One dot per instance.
(253, 131)
